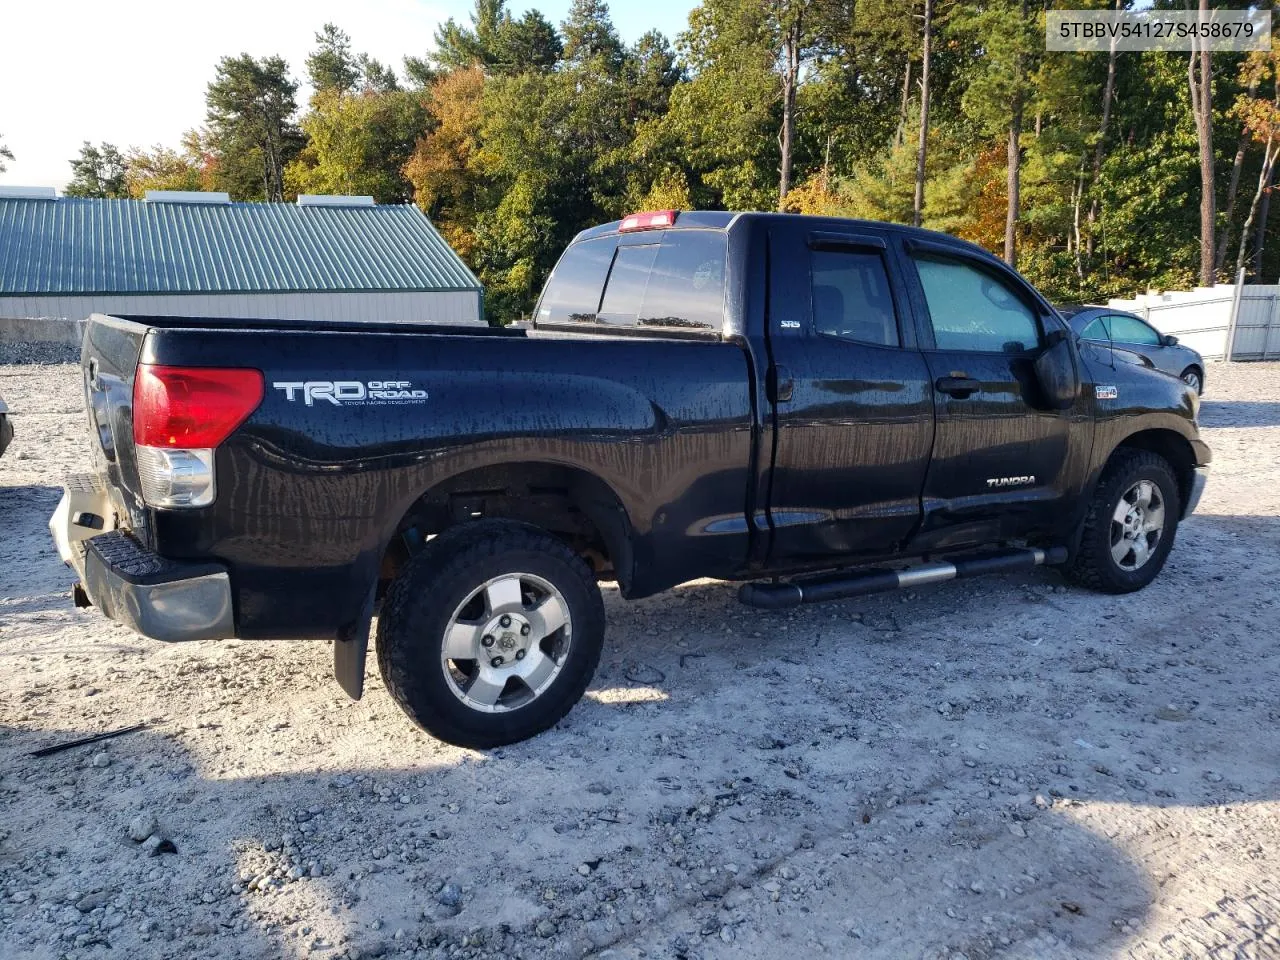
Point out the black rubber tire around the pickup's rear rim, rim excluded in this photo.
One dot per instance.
(420, 604)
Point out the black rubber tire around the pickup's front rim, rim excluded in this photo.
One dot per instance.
(1094, 565)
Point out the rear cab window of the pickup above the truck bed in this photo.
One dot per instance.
(673, 280)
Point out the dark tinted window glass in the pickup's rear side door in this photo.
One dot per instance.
(852, 298)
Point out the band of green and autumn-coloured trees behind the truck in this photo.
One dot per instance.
(1087, 170)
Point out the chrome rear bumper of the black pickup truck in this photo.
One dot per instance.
(153, 596)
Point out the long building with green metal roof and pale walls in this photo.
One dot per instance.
(202, 255)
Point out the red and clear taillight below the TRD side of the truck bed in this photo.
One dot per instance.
(180, 417)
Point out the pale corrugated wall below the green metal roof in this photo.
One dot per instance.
(432, 307)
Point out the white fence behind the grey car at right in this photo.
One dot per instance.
(1220, 322)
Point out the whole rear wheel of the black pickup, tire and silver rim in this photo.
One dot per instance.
(491, 634)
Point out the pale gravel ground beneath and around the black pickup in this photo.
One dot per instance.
(990, 769)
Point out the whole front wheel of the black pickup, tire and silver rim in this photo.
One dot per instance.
(1130, 529)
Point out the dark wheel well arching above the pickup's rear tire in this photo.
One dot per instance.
(574, 505)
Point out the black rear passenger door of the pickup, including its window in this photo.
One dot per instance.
(852, 397)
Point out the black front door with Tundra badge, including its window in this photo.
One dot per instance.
(1002, 465)
